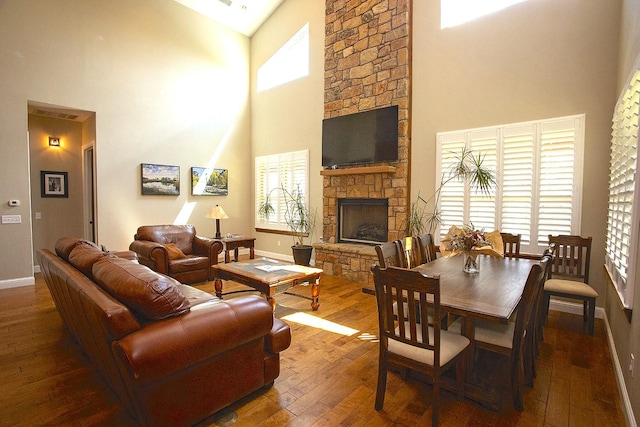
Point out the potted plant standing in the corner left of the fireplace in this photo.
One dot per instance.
(300, 219)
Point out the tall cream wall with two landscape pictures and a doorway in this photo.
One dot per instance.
(168, 86)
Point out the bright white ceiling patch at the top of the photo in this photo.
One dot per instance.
(244, 16)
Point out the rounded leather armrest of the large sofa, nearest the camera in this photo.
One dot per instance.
(169, 346)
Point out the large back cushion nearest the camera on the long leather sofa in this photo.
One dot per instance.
(149, 294)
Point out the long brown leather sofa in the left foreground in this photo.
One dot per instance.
(173, 354)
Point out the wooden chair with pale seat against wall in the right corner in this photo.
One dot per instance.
(569, 276)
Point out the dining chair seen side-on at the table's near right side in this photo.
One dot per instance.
(509, 339)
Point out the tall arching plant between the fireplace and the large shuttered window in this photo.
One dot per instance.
(468, 168)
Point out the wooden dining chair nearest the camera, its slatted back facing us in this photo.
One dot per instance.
(422, 347)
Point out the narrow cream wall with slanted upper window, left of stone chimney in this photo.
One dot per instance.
(289, 117)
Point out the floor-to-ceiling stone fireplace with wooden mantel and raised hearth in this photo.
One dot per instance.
(367, 66)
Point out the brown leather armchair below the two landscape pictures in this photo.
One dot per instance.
(176, 250)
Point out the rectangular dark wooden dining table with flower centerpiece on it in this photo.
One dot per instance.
(492, 294)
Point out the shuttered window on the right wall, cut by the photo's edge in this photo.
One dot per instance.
(622, 225)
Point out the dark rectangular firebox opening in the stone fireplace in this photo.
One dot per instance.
(363, 221)
